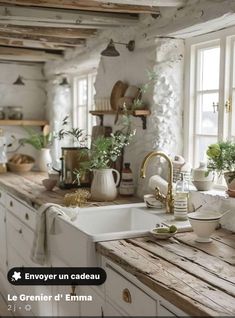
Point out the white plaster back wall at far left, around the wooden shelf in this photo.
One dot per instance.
(32, 97)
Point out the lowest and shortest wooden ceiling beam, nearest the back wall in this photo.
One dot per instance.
(32, 44)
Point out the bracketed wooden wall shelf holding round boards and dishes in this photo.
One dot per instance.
(142, 113)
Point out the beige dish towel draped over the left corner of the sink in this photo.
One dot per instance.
(38, 252)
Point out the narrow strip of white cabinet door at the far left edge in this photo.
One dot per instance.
(3, 249)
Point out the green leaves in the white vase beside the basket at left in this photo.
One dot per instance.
(38, 140)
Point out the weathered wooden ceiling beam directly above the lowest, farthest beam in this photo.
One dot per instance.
(44, 39)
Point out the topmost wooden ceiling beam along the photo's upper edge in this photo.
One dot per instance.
(87, 5)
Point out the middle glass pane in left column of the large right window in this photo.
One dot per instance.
(207, 115)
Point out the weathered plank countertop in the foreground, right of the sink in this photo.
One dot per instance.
(198, 278)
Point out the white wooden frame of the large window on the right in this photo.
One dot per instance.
(226, 38)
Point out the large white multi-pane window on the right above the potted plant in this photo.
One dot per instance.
(210, 92)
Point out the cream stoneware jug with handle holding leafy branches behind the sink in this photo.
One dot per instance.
(103, 186)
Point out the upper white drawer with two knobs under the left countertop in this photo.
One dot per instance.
(21, 211)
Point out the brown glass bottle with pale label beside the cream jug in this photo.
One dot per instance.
(127, 184)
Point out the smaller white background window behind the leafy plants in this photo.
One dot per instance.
(84, 92)
